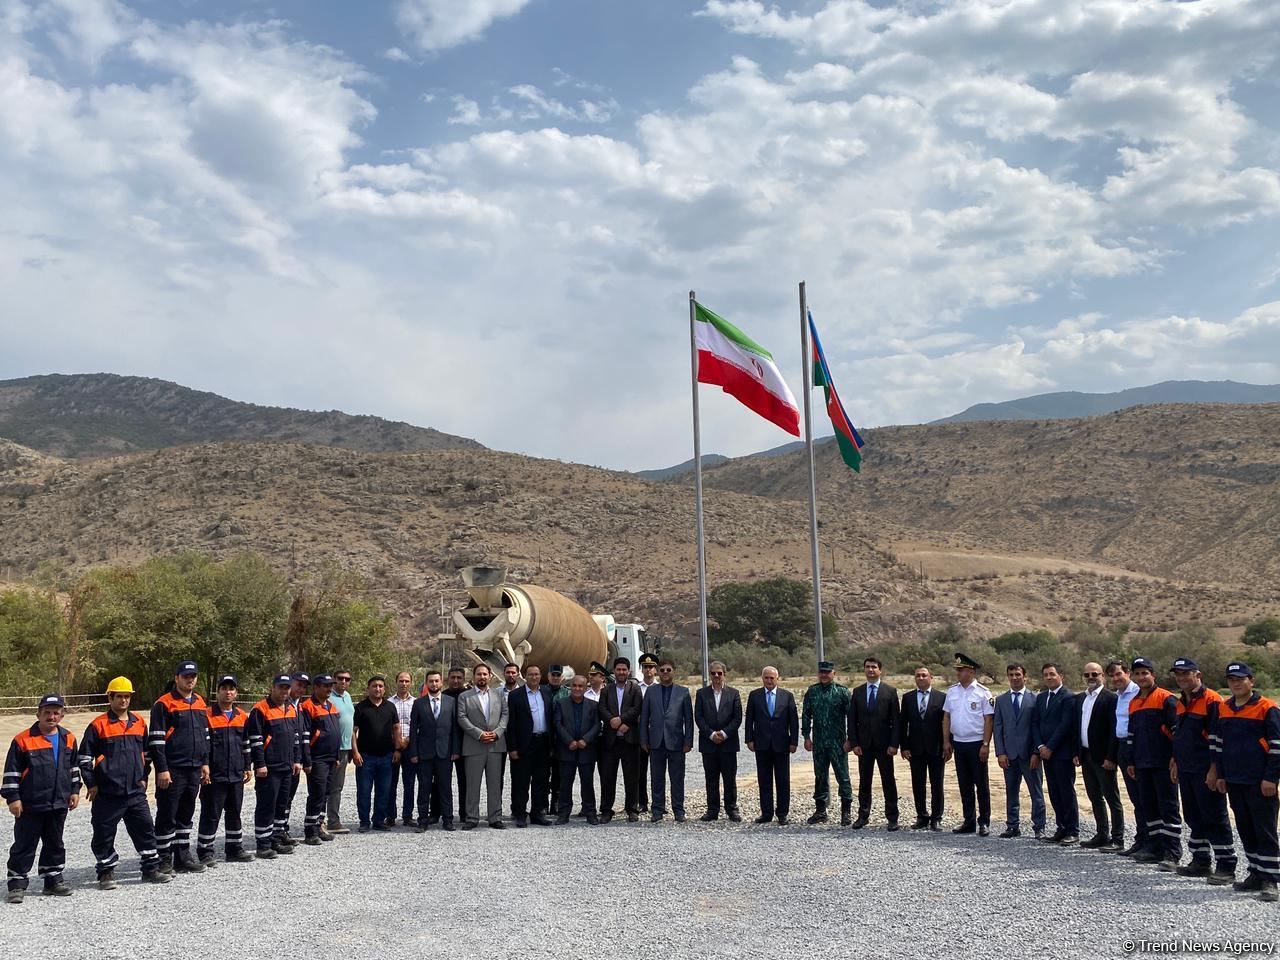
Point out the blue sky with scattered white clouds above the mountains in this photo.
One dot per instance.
(486, 216)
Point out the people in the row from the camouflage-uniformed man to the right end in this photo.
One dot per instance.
(1186, 756)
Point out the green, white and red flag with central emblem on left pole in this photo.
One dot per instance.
(732, 360)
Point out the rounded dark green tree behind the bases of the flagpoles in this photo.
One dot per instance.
(776, 612)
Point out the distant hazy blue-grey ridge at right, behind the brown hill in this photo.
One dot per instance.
(1059, 406)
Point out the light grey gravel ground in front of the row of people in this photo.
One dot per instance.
(666, 890)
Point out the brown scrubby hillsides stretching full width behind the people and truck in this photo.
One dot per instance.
(1151, 518)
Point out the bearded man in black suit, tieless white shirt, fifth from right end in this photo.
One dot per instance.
(1096, 732)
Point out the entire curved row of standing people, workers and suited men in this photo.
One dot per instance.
(1196, 748)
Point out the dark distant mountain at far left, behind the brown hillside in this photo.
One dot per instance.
(95, 415)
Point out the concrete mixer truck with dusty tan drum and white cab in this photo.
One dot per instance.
(524, 624)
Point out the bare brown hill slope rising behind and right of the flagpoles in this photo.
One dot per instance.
(1187, 492)
